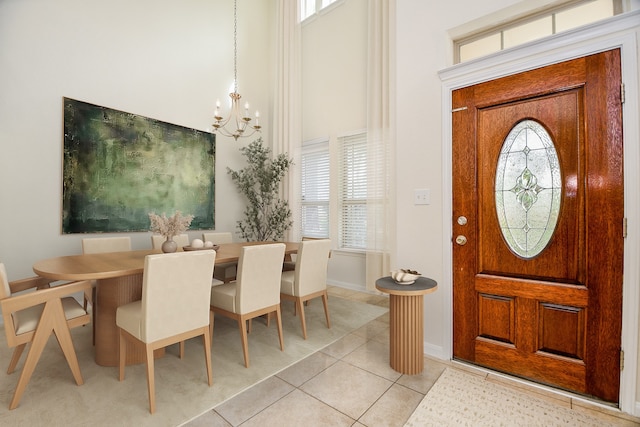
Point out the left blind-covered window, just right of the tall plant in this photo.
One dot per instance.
(314, 171)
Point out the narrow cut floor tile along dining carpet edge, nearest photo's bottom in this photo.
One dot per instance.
(250, 402)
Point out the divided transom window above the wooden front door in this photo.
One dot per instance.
(535, 26)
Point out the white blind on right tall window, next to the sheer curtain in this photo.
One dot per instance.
(353, 191)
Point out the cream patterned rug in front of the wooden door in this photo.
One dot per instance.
(461, 399)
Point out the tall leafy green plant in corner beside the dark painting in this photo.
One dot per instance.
(266, 217)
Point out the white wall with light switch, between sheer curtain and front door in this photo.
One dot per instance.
(424, 48)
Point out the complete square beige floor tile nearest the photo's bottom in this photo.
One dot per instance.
(349, 389)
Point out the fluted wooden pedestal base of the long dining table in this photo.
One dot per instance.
(112, 293)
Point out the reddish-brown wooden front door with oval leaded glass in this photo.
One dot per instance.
(538, 225)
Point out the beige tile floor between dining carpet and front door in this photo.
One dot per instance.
(350, 383)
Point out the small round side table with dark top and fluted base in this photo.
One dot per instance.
(406, 327)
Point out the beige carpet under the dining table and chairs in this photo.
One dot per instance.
(53, 399)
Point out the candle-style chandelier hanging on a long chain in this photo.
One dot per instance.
(238, 123)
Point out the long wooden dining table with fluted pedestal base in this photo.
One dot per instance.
(119, 281)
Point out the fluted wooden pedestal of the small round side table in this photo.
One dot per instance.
(406, 352)
